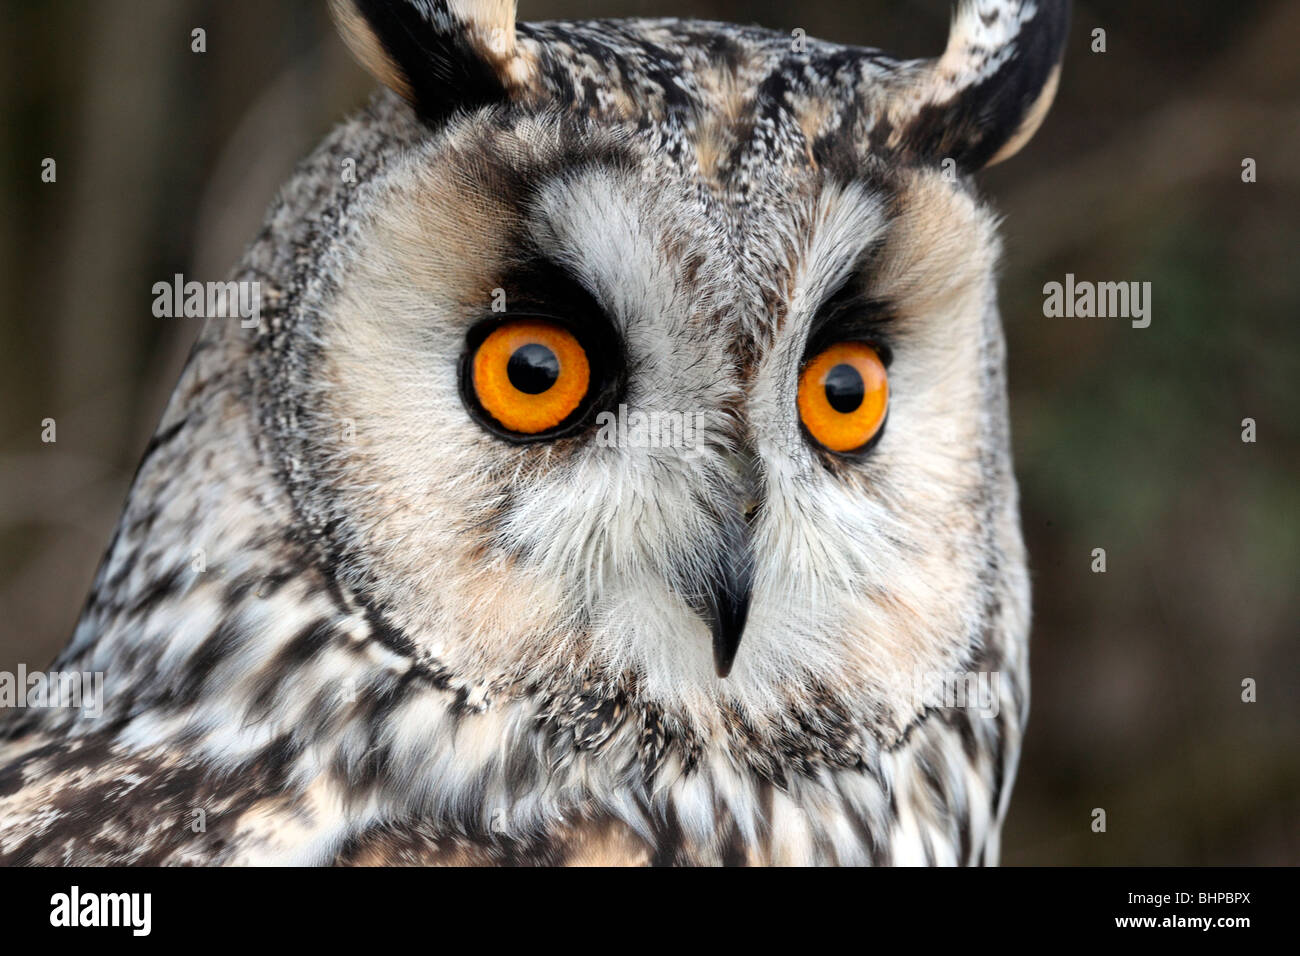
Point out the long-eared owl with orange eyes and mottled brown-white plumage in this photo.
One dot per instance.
(618, 473)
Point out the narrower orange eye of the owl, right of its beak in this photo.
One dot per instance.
(844, 393)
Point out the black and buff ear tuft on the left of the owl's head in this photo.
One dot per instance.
(441, 55)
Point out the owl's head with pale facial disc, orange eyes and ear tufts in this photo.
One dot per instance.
(665, 357)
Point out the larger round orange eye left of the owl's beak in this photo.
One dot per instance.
(531, 375)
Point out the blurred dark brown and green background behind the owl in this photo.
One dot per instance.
(1126, 439)
